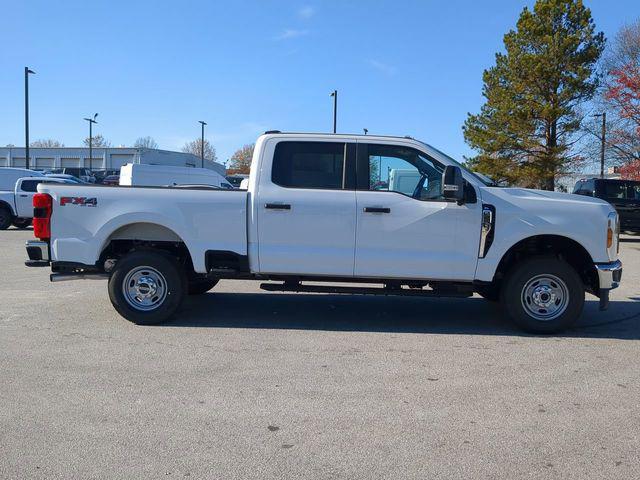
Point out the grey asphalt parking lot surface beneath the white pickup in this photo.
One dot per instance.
(249, 384)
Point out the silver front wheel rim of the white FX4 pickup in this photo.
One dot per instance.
(545, 297)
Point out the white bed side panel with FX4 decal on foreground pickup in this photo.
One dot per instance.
(86, 217)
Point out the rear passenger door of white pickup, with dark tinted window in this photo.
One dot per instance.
(306, 208)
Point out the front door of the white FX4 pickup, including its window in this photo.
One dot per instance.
(405, 228)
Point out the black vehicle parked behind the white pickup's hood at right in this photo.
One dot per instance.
(624, 195)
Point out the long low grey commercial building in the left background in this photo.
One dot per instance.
(103, 158)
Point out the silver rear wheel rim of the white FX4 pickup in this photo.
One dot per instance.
(144, 288)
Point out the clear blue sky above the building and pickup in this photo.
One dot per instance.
(156, 68)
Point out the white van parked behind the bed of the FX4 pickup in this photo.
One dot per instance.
(141, 175)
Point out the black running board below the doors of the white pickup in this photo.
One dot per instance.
(298, 287)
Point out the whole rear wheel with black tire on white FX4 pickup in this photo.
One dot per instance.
(161, 282)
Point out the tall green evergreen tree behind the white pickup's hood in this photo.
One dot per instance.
(524, 131)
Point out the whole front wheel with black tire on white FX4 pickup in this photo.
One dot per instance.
(523, 295)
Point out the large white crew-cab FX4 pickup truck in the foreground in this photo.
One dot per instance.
(320, 210)
